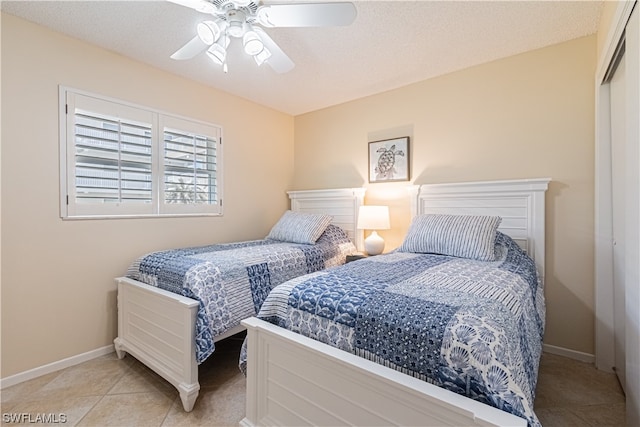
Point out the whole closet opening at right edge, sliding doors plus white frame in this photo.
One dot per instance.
(617, 214)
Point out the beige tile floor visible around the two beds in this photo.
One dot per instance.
(111, 392)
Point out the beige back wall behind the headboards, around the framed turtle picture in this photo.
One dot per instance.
(527, 116)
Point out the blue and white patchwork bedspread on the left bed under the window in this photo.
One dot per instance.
(232, 280)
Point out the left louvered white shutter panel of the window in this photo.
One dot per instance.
(109, 158)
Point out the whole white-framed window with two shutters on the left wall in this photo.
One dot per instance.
(118, 159)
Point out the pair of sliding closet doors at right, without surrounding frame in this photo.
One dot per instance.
(625, 192)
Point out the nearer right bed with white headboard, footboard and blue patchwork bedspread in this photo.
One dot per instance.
(375, 372)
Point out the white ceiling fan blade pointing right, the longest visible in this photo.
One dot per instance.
(307, 14)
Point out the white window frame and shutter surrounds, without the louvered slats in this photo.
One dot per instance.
(70, 98)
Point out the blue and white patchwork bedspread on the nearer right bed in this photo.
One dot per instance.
(472, 327)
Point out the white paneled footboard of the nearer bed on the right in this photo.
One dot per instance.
(293, 380)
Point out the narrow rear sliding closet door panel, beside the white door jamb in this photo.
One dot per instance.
(618, 100)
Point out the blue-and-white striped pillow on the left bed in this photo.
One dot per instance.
(298, 227)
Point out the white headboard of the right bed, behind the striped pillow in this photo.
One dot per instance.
(520, 203)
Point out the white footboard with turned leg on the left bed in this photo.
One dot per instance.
(158, 328)
